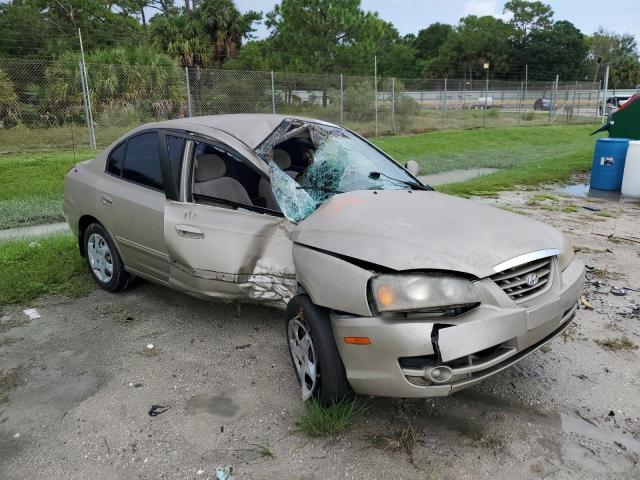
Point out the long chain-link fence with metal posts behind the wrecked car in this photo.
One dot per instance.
(51, 105)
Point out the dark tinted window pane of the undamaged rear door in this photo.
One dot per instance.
(142, 161)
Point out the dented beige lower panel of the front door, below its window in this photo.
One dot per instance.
(226, 253)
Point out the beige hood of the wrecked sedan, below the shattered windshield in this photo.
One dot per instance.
(411, 230)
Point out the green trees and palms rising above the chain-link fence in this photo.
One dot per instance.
(318, 36)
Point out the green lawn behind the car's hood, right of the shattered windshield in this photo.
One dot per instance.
(503, 148)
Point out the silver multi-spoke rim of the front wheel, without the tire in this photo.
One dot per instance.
(304, 356)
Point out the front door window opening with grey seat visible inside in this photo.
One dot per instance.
(219, 175)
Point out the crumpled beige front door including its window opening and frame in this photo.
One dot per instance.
(221, 240)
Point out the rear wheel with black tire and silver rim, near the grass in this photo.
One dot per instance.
(104, 261)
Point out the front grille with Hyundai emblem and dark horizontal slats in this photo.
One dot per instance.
(514, 280)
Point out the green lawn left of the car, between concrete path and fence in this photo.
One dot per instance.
(31, 186)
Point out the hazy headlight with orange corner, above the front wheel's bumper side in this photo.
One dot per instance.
(415, 292)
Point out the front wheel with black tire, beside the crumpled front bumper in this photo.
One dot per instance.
(304, 319)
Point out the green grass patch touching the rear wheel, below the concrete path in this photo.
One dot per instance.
(50, 265)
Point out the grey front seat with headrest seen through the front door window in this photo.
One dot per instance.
(210, 180)
